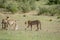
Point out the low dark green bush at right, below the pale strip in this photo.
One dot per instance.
(51, 10)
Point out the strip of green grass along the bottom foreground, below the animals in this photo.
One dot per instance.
(28, 35)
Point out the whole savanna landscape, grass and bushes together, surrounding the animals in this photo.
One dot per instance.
(46, 11)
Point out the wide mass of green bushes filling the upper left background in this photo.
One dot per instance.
(18, 5)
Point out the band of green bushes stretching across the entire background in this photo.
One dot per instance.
(29, 5)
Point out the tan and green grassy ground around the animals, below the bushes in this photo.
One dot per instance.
(50, 29)
